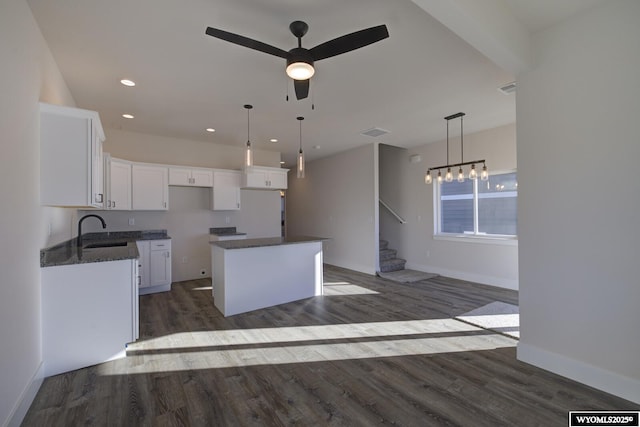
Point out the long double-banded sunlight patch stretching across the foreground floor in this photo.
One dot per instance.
(204, 350)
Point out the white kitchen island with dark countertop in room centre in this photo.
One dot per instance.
(257, 273)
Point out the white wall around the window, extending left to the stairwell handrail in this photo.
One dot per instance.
(402, 187)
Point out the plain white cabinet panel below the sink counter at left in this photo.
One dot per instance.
(89, 313)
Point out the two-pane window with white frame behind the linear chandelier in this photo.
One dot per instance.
(478, 208)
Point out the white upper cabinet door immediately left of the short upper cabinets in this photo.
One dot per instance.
(150, 187)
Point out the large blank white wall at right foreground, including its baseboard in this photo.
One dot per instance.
(578, 152)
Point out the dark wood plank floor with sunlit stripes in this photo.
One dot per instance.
(369, 352)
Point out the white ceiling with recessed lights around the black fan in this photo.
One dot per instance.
(188, 81)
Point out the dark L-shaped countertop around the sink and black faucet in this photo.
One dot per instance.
(69, 252)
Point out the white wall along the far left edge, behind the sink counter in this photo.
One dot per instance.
(29, 75)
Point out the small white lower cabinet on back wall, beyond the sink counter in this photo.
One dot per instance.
(154, 266)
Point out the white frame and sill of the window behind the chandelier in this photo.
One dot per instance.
(475, 237)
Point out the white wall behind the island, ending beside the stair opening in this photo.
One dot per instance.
(338, 199)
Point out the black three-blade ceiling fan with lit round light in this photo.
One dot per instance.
(299, 59)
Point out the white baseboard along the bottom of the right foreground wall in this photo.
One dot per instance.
(602, 379)
